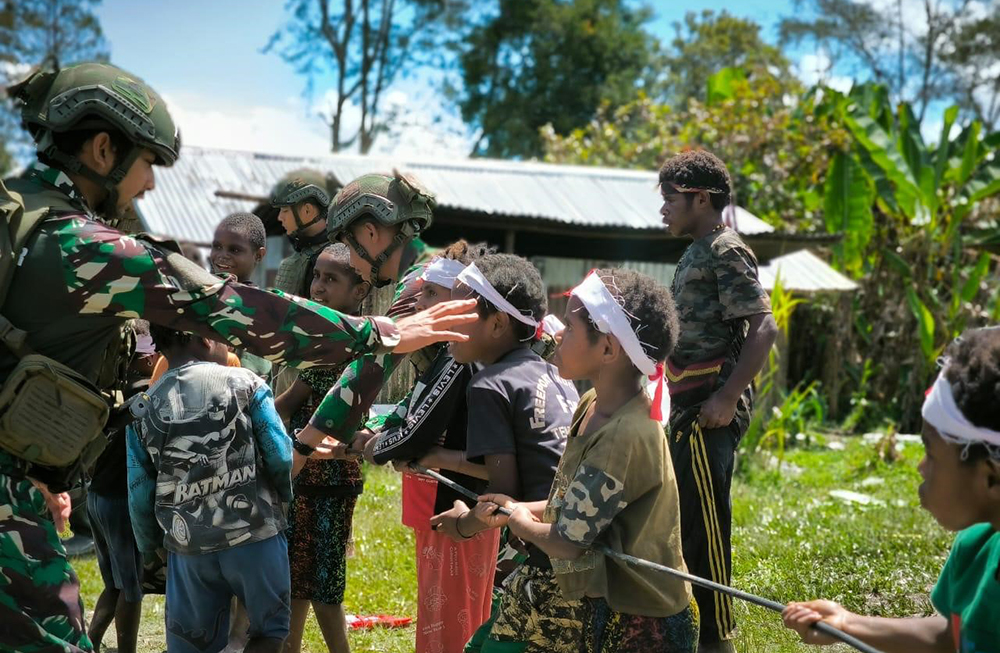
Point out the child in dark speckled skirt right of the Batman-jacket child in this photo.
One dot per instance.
(325, 490)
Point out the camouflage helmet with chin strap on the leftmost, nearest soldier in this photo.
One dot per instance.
(96, 96)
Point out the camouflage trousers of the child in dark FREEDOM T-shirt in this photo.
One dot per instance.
(533, 616)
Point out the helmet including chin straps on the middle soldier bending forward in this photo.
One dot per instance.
(396, 199)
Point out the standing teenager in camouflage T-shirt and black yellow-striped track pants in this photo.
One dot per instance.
(726, 332)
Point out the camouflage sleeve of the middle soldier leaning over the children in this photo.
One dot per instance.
(343, 409)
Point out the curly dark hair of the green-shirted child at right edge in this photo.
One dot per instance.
(974, 374)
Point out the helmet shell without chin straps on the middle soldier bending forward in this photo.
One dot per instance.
(396, 199)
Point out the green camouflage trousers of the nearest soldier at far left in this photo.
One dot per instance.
(40, 605)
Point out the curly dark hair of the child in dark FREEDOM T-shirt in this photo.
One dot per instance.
(519, 282)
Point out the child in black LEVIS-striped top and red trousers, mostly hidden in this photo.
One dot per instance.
(454, 578)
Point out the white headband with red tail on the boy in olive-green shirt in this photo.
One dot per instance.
(609, 317)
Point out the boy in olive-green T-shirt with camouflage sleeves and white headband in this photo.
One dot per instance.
(615, 483)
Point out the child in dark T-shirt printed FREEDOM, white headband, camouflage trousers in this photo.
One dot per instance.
(519, 417)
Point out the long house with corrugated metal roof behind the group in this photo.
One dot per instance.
(566, 219)
